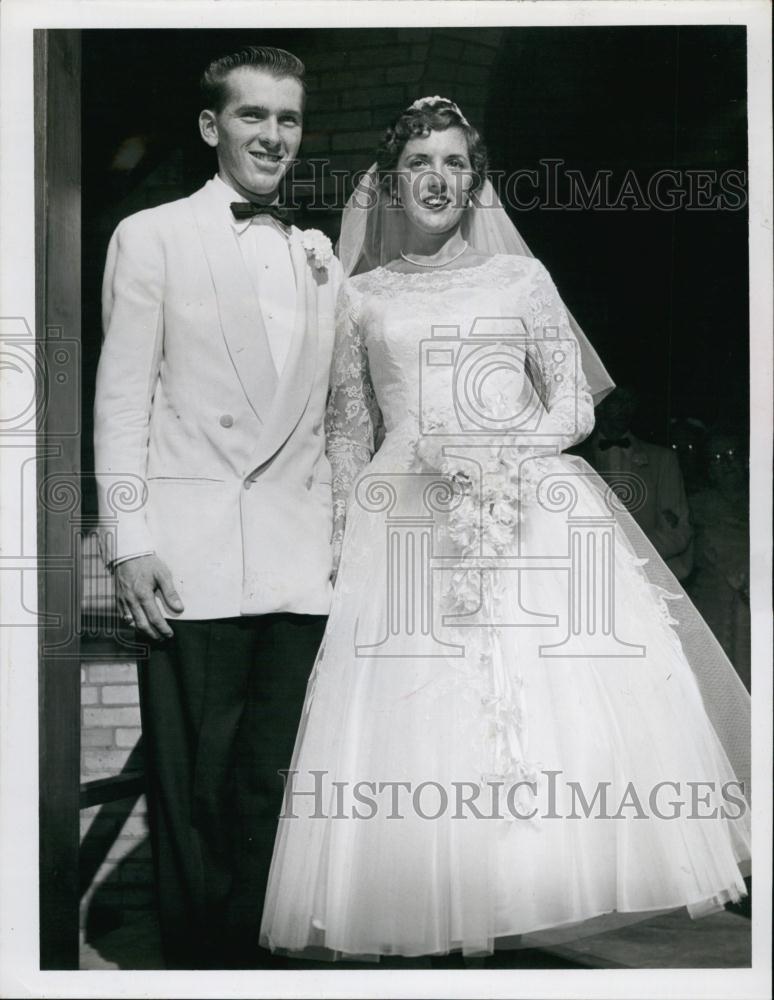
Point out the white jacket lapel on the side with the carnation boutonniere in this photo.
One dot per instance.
(295, 384)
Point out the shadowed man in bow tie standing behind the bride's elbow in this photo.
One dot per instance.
(663, 515)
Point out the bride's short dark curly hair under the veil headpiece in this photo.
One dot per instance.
(433, 116)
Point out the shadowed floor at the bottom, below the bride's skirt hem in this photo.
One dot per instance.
(672, 941)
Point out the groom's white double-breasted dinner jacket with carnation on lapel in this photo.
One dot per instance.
(203, 455)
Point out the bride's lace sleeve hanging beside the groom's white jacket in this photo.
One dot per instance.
(352, 414)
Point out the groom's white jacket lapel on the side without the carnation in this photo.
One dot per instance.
(241, 319)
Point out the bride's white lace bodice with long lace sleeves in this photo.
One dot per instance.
(472, 346)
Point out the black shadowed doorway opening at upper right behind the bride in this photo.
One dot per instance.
(661, 292)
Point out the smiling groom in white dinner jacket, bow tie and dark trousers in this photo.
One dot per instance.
(210, 395)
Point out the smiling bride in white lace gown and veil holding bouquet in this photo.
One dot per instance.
(518, 729)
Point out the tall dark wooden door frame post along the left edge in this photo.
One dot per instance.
(57, 77)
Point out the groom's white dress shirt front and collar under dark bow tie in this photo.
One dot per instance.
(265, 251)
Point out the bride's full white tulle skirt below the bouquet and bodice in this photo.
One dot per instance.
(564, 755)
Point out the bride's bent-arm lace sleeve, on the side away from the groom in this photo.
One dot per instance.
(555, 359)
